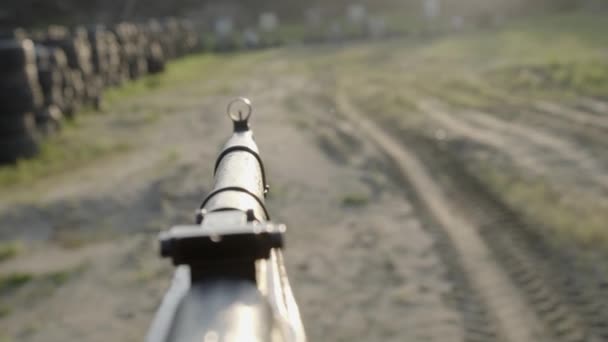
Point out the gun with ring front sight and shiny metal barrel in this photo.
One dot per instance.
(230, 283)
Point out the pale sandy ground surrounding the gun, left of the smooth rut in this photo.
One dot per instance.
(365, 271)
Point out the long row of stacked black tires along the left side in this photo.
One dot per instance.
(50, 74)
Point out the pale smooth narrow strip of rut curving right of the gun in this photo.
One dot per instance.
(516, 321)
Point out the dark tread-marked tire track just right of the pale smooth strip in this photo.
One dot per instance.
(551, 277)
